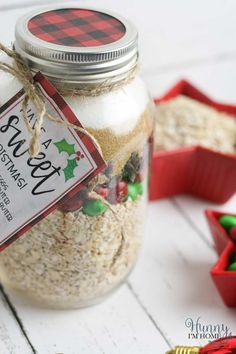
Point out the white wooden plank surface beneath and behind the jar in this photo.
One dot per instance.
(171, 282)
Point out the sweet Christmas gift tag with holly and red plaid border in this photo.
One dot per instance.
(31, 188)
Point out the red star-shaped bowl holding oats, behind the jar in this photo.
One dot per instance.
(194, 170)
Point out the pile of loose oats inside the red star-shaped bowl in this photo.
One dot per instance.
(183, 121)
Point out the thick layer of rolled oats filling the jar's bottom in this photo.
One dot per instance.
(68, 259)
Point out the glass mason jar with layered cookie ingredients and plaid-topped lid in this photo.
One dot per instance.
(86, 248)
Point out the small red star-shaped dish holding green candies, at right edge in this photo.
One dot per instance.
(225, 281)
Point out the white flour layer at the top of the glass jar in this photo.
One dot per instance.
(118, 111)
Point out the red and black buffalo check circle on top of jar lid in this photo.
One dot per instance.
(76, 27)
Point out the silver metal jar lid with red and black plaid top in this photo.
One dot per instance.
(76, 44)
